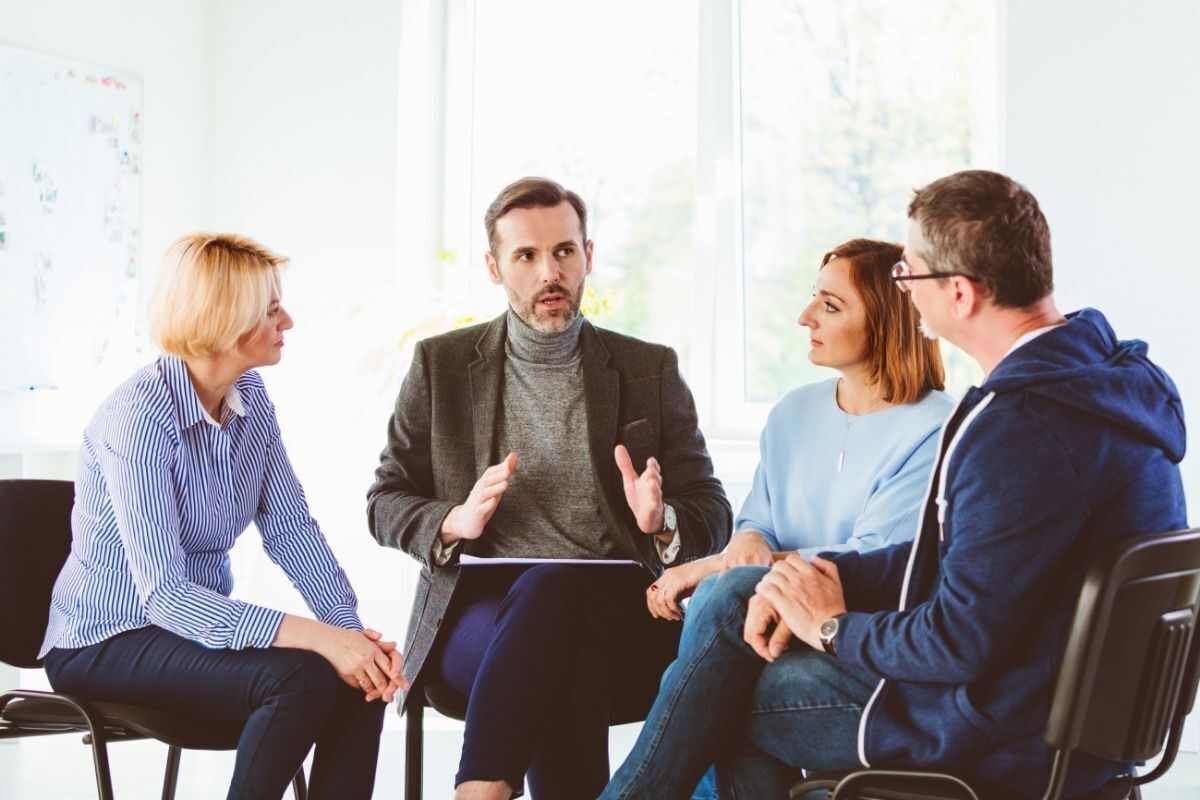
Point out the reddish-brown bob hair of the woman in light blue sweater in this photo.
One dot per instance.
(901, 358)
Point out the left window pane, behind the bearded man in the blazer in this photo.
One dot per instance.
(580, 94)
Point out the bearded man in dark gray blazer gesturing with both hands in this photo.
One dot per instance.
(538, 435)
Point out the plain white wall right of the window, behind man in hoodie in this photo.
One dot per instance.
(1103, 118)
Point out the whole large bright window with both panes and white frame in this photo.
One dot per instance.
(723, 148)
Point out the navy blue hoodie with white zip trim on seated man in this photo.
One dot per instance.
(1072, 442)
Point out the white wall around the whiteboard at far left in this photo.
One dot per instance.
(171, 46)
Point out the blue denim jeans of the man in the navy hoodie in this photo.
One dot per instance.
(760, 724)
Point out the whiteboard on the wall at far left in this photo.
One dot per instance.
(70, 220)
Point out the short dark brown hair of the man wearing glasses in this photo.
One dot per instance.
(988, 227)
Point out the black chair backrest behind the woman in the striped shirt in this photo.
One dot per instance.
(35, 539)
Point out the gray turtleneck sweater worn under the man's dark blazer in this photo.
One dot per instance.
(551, 508)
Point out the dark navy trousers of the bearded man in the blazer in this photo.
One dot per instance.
(548, 657)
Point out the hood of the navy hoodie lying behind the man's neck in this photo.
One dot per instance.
(1083, 365)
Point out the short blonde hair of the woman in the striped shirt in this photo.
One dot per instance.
(212, 291)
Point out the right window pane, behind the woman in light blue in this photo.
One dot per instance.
(847, 109)
